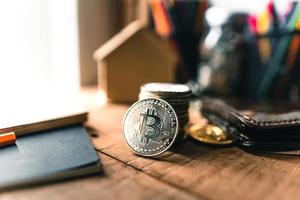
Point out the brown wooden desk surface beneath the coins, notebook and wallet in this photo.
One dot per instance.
(190, 171)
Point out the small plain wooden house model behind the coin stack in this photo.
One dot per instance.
(131, 58)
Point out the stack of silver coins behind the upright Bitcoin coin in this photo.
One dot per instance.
(177, 95)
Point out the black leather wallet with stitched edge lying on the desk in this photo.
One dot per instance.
(274, 132)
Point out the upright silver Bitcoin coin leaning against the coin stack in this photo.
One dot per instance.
(150, 127)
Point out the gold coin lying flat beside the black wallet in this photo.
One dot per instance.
(209, 134)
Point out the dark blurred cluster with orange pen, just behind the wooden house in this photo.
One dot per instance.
(181, 23)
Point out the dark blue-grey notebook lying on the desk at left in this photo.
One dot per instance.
(48, 156)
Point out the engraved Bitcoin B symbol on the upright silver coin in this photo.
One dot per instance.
(150, 125)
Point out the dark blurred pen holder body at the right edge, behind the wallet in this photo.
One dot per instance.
(273, 66)
